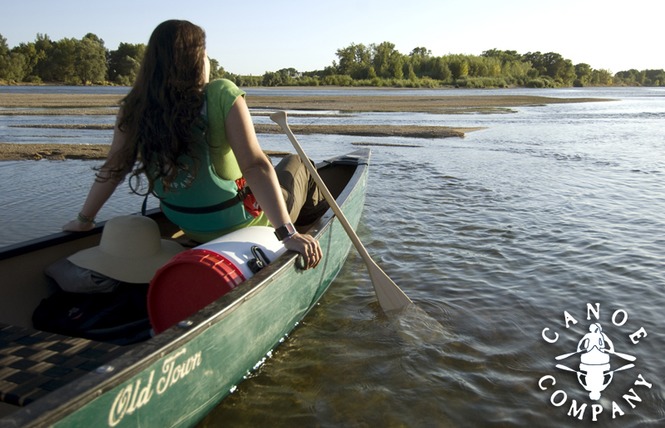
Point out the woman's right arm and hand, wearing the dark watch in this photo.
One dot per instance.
(262, 179)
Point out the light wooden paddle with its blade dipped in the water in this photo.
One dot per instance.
(390, 296)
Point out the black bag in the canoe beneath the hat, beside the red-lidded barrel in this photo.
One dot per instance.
(119, 317)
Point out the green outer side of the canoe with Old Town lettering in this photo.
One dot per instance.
(179, 376)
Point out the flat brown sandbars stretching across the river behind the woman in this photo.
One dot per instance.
(88, 104)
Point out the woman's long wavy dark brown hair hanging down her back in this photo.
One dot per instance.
(158, 115)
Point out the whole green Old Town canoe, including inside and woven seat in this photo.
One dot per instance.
(176, 377)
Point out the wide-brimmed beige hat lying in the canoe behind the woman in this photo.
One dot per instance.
(131, 250)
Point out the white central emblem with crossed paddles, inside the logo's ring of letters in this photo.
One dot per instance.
(595, 373)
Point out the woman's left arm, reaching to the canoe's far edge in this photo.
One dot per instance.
(100, 191)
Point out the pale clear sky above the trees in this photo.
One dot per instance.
(252, 37)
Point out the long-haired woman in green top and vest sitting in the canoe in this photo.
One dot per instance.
(195, 142)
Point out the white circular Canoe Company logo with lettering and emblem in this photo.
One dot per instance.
(594, 363)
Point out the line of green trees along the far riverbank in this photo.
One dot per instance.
(87, 61)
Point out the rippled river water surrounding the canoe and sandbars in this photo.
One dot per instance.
(514, 242)
